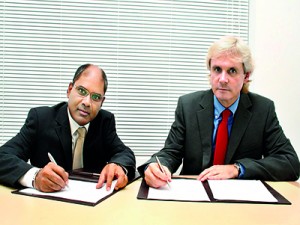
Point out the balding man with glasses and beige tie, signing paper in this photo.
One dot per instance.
(54, 130)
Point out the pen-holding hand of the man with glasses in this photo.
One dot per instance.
(51, 178)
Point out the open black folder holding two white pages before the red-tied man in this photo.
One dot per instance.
(144, 195)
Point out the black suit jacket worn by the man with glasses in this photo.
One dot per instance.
(47, 129)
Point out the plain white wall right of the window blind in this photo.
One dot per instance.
(275, 42)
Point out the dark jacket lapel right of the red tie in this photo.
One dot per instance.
(240, 124)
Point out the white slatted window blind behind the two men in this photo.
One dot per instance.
(152, 51)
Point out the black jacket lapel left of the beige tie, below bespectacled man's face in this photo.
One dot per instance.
(63, 131)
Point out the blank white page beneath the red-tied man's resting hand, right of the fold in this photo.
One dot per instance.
(244, 190)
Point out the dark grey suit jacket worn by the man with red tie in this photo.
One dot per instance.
(256, 141)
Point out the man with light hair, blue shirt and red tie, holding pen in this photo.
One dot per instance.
(257, 147)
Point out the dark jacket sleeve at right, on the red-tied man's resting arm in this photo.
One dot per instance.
(280, 161)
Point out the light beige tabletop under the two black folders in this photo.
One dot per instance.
(124, 208)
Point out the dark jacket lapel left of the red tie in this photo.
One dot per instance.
(205, 124)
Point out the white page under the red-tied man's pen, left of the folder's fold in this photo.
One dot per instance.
(181, 189)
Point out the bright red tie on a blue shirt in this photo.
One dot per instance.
(222, 139)
